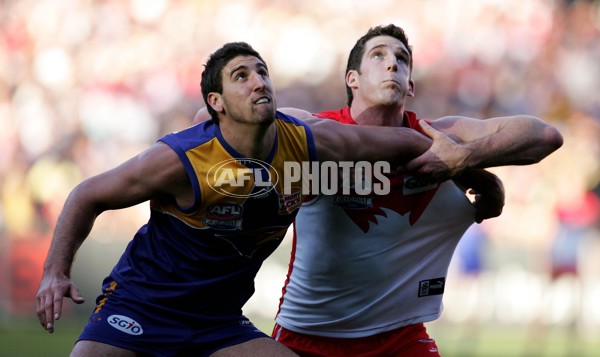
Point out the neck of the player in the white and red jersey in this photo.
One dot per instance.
(377, 115)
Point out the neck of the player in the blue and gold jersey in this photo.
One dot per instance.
(250, 140)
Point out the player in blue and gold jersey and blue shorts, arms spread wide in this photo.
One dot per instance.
(219, 205)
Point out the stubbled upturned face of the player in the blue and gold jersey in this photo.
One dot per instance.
(247, 91)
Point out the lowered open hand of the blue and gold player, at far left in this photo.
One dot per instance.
(49, 298)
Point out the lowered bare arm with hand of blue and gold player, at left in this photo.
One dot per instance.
(154, 173)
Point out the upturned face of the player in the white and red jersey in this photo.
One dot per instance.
(384, 77)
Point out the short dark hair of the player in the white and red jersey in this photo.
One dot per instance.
(357, 52)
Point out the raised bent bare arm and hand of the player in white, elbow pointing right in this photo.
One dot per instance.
(515, 140)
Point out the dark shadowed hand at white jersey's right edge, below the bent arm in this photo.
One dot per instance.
(488, 190)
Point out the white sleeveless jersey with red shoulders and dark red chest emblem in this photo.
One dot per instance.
(363, 265)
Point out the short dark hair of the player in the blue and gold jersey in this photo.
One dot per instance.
(212, 80)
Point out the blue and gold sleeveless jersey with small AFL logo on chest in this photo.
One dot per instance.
(203, 259)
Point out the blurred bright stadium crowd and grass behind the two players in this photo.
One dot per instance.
(86, 84)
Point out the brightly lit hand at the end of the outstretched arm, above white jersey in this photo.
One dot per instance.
(445, 158)
